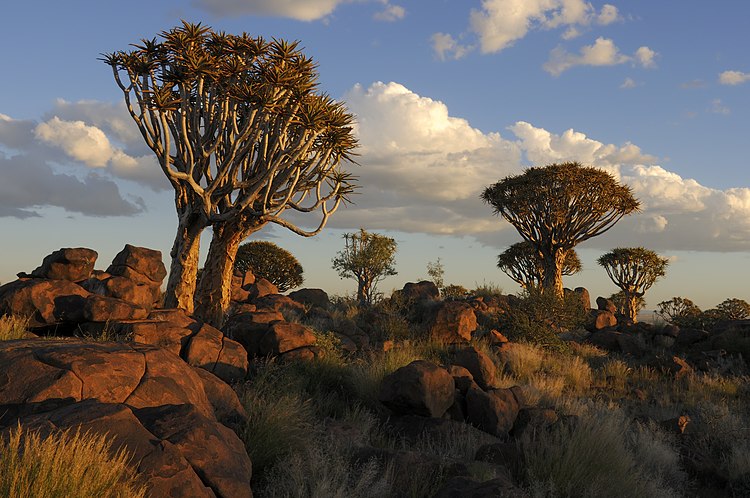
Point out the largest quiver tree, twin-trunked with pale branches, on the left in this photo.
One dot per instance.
(242, 134)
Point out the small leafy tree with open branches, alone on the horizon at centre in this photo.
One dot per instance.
(368, 258)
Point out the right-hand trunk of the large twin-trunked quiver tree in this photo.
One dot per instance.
(215, 288)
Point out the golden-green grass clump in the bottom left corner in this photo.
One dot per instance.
(64, 465)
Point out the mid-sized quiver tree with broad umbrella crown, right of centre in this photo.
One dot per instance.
(558, 206)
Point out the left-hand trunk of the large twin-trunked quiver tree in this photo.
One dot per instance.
(183, 269)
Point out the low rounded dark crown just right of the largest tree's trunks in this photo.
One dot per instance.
(267, 260)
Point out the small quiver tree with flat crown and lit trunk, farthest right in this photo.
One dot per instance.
(634, 270)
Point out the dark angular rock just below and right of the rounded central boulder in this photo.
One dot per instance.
(494, 412)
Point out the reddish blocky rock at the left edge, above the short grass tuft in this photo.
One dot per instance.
(46, 302)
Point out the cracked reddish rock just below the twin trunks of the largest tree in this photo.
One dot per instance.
(210, 350)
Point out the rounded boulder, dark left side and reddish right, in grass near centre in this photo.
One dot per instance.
(419, 388)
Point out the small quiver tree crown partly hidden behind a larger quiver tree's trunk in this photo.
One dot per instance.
(522, 263)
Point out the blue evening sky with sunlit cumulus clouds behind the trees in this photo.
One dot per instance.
(449, 97)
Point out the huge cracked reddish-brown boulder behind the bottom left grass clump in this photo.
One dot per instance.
(144, 398)
